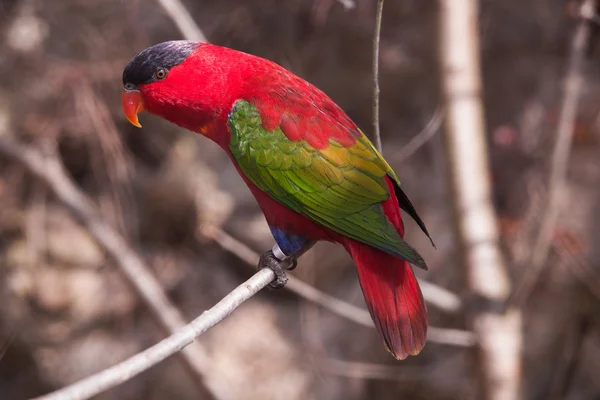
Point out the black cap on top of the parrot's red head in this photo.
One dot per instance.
(142, 68)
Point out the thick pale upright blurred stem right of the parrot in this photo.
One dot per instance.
(499, 332)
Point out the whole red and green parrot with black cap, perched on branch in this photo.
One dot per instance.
(314, 174)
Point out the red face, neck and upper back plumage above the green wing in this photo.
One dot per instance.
(199, 93)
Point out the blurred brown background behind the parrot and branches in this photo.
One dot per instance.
(66, 310)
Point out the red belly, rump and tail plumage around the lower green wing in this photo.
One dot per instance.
(388, 283)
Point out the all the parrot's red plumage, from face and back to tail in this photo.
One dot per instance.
(198, 94)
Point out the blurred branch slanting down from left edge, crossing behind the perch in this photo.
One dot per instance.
(48, 169)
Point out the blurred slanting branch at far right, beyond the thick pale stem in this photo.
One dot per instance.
(560, 155)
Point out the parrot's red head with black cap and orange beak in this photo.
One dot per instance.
(181, 81)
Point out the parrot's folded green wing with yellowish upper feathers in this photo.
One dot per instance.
(338, 187)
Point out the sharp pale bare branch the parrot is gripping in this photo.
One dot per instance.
(140, 362)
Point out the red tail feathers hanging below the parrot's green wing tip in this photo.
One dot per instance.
(393, 297)
